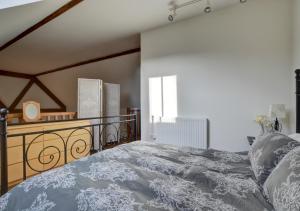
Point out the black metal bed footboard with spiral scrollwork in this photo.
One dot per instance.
(115, 123)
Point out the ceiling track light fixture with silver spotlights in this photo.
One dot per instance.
(174, 7)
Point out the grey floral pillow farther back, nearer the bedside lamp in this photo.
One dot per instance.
(266, 153)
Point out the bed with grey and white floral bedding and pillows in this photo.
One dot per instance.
(148, 176)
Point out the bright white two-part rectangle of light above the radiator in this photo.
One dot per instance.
(163, 97)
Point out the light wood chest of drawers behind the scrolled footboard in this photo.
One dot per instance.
(45, 151)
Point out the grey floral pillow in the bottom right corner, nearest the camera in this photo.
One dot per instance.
(282, 187)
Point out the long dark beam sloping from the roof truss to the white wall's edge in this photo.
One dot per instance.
(123, 53)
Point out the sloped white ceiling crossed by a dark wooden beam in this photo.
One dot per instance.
(91, 29)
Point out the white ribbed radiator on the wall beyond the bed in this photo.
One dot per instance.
(182, 132)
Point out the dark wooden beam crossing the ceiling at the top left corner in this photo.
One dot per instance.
(47, 19)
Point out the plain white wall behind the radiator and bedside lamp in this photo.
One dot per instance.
(230, 65)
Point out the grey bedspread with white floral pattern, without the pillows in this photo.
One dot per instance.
(143, 176)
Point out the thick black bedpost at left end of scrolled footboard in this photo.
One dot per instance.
(3, 150)
